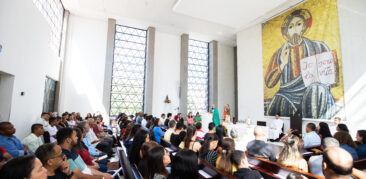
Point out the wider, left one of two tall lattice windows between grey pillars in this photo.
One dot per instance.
(128, 76)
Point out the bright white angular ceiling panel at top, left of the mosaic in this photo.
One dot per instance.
(231, 13)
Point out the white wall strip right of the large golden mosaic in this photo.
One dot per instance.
(352, 19)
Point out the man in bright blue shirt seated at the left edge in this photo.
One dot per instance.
(9, 142)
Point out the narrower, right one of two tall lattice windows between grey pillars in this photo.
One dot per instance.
(197, 92)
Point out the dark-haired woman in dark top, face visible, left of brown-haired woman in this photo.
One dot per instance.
(207, 151)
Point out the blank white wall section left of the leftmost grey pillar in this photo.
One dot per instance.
(83, 75)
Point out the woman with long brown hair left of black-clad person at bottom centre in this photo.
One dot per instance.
(223, 161)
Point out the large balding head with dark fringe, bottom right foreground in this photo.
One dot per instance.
(337, 163)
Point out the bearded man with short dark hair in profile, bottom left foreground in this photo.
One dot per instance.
(54, 161)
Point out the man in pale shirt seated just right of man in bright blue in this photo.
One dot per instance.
(33, 141)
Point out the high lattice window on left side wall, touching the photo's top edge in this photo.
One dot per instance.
(53, 11)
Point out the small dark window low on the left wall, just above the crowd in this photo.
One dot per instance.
(49, 95)
